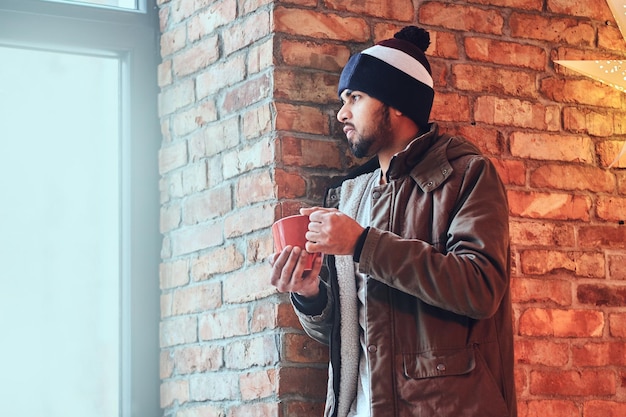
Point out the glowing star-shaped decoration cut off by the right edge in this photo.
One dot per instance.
(610, 72)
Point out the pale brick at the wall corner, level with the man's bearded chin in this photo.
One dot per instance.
(238, 161)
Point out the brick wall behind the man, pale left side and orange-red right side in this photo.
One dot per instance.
(247, 108)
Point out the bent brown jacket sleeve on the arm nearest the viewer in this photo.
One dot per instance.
(472, 275)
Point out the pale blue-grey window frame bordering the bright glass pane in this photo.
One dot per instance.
(132, 35)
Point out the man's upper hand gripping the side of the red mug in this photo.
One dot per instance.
(331, 231)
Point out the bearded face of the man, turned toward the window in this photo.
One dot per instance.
(366, 123)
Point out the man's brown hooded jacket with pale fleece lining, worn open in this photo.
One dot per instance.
(438, 309)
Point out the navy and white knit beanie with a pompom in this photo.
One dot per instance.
(396, 72)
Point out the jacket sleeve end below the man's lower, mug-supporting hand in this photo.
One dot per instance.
(315, 315)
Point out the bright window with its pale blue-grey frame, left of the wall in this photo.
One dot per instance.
(79, 307)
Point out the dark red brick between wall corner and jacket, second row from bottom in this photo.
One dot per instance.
(309, 382)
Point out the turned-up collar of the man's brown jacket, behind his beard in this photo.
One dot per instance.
(424, 159)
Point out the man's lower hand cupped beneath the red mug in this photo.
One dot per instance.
(288, 274)
